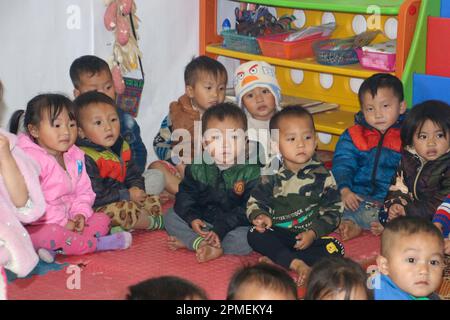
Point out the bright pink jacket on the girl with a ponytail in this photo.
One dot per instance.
(66, 193)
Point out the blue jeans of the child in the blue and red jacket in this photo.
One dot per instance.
(367, 212)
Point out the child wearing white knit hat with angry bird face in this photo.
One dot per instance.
(258, 93)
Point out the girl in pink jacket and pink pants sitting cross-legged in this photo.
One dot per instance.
(68, 225)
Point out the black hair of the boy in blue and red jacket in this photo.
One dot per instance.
(378, 81)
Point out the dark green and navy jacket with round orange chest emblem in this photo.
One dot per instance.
(215, 196)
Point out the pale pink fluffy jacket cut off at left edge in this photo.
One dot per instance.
(19, 255)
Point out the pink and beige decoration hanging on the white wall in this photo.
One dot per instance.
(120, 18)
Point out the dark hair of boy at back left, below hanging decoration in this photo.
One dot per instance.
(86, 64)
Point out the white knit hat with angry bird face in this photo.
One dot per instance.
(253, 74)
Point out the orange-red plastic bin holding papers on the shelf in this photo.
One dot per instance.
(275, 46)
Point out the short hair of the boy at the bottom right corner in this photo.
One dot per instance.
(407, 225)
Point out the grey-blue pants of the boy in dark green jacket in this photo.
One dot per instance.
(234, 242)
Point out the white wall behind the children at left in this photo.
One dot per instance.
(38, 47)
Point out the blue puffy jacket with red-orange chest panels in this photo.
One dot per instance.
(365, 159)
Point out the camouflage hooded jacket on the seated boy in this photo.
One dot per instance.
(299, 202)
